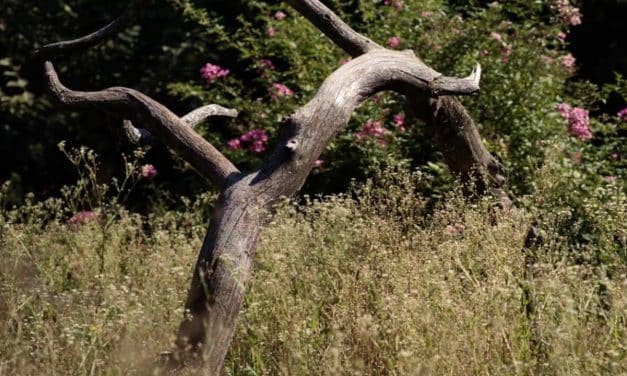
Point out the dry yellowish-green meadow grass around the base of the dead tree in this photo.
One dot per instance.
(378, 283)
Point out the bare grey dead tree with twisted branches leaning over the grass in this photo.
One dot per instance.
(225, 261)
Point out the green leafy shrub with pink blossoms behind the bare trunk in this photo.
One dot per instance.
(268, 61)
